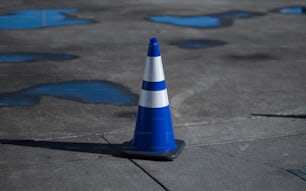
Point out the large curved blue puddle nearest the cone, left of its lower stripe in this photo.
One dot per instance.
(91, 92)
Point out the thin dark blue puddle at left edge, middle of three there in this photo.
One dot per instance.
(34, 57)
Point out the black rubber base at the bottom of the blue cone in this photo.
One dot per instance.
(128, 152)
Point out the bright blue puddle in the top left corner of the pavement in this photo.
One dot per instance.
(39, 18)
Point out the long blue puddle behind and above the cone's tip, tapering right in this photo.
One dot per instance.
(204, 21)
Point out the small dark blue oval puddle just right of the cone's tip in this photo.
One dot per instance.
(197, 44)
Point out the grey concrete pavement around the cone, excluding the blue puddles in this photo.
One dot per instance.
(214, 93)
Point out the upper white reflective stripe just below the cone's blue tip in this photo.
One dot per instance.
(154, 71)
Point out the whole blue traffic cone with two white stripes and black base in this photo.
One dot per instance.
(153, 136)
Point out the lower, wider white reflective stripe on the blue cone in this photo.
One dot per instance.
(154, 99)
